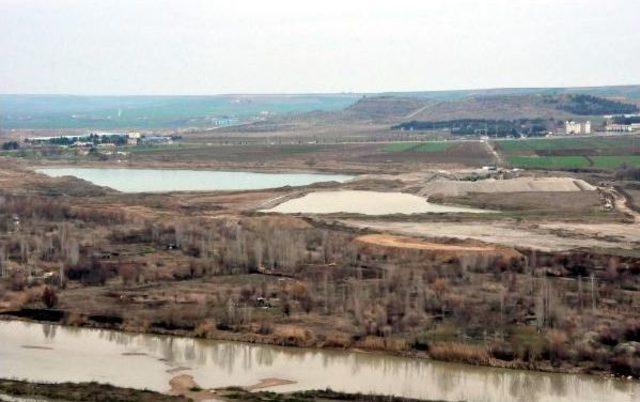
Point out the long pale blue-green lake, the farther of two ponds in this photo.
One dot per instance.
(166, 180)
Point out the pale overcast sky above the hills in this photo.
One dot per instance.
(241, 46)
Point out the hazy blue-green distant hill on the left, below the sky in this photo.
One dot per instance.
(114, 112)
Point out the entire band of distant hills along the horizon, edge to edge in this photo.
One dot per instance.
(150, 112)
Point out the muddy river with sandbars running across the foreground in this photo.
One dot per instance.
(43, 352)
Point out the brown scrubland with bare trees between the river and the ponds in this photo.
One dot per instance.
(207, 265)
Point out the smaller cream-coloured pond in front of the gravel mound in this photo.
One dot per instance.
(364, 202)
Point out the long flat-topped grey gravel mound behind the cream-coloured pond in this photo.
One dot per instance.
(456, 188)
